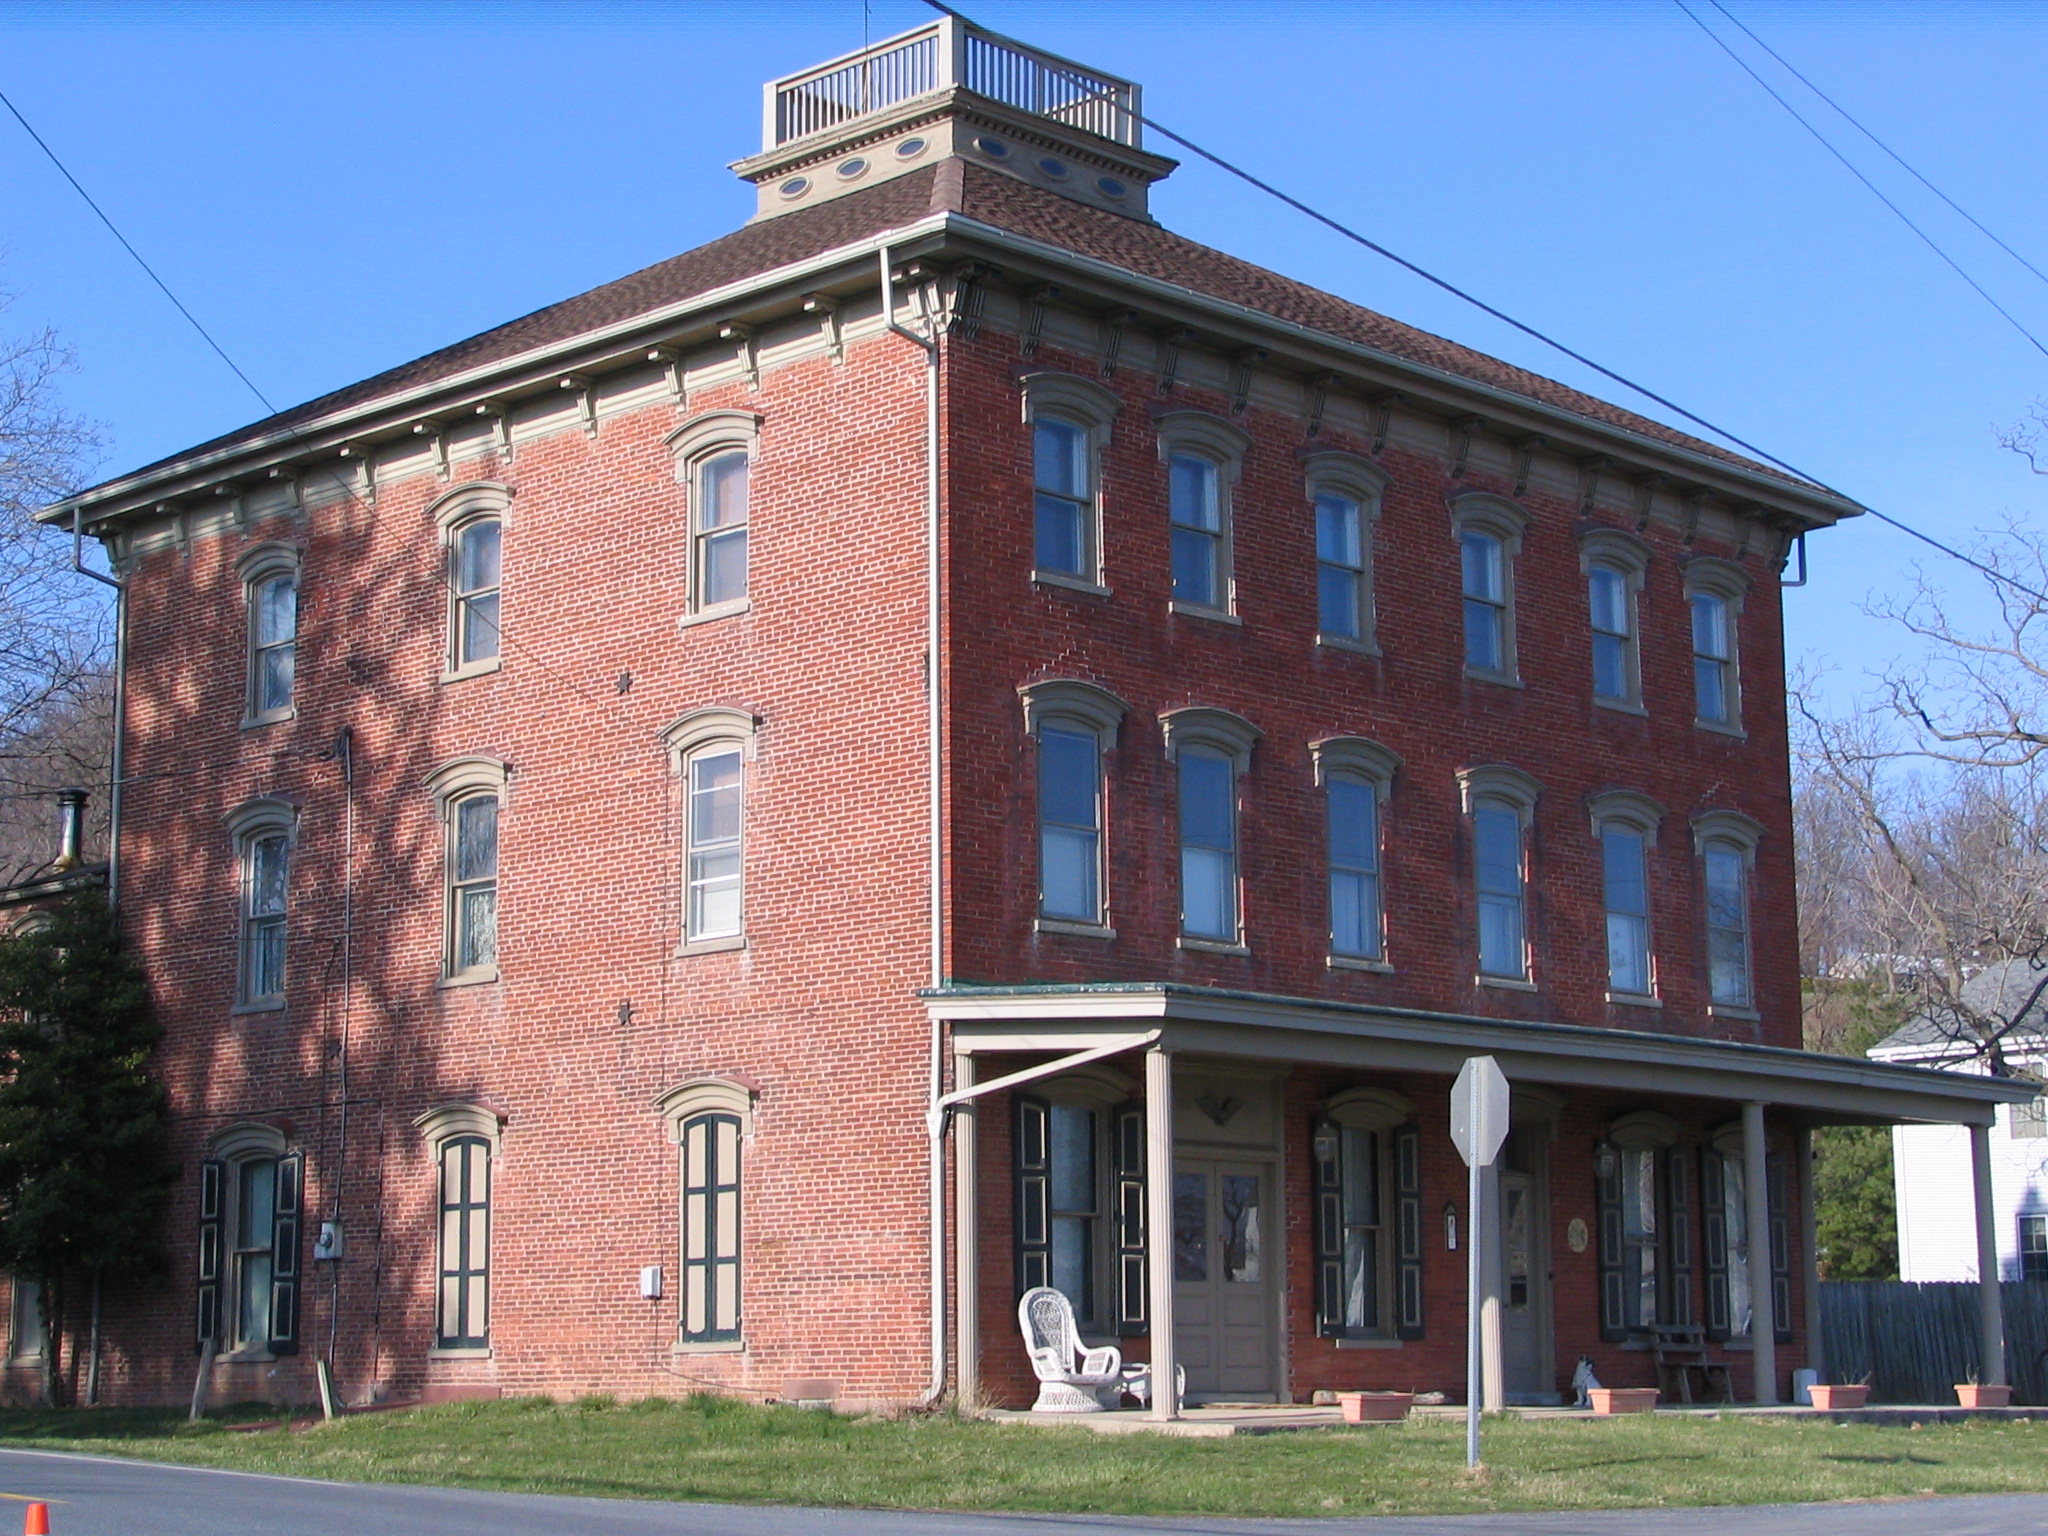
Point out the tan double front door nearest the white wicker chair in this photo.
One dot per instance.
(1226, 1252)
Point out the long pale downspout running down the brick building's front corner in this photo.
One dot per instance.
(935, 822)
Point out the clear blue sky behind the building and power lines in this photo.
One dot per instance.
(341, 187)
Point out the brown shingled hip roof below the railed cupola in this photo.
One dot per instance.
(1007, 204)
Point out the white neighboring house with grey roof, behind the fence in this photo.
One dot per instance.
(1932, 1162)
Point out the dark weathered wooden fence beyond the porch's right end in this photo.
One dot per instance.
(1918, 1340)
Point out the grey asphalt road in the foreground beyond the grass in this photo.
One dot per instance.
(93, 1496)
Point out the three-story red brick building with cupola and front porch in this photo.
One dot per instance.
(722, 830)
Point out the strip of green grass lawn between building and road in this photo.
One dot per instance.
(724, 1451)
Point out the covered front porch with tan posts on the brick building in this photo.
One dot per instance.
(1297, 1156)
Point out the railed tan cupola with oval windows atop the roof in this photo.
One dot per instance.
(951, 91)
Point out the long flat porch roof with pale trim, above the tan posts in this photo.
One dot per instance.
(1222, 1023)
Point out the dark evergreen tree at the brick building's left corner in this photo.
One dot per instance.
(83, 1162)
